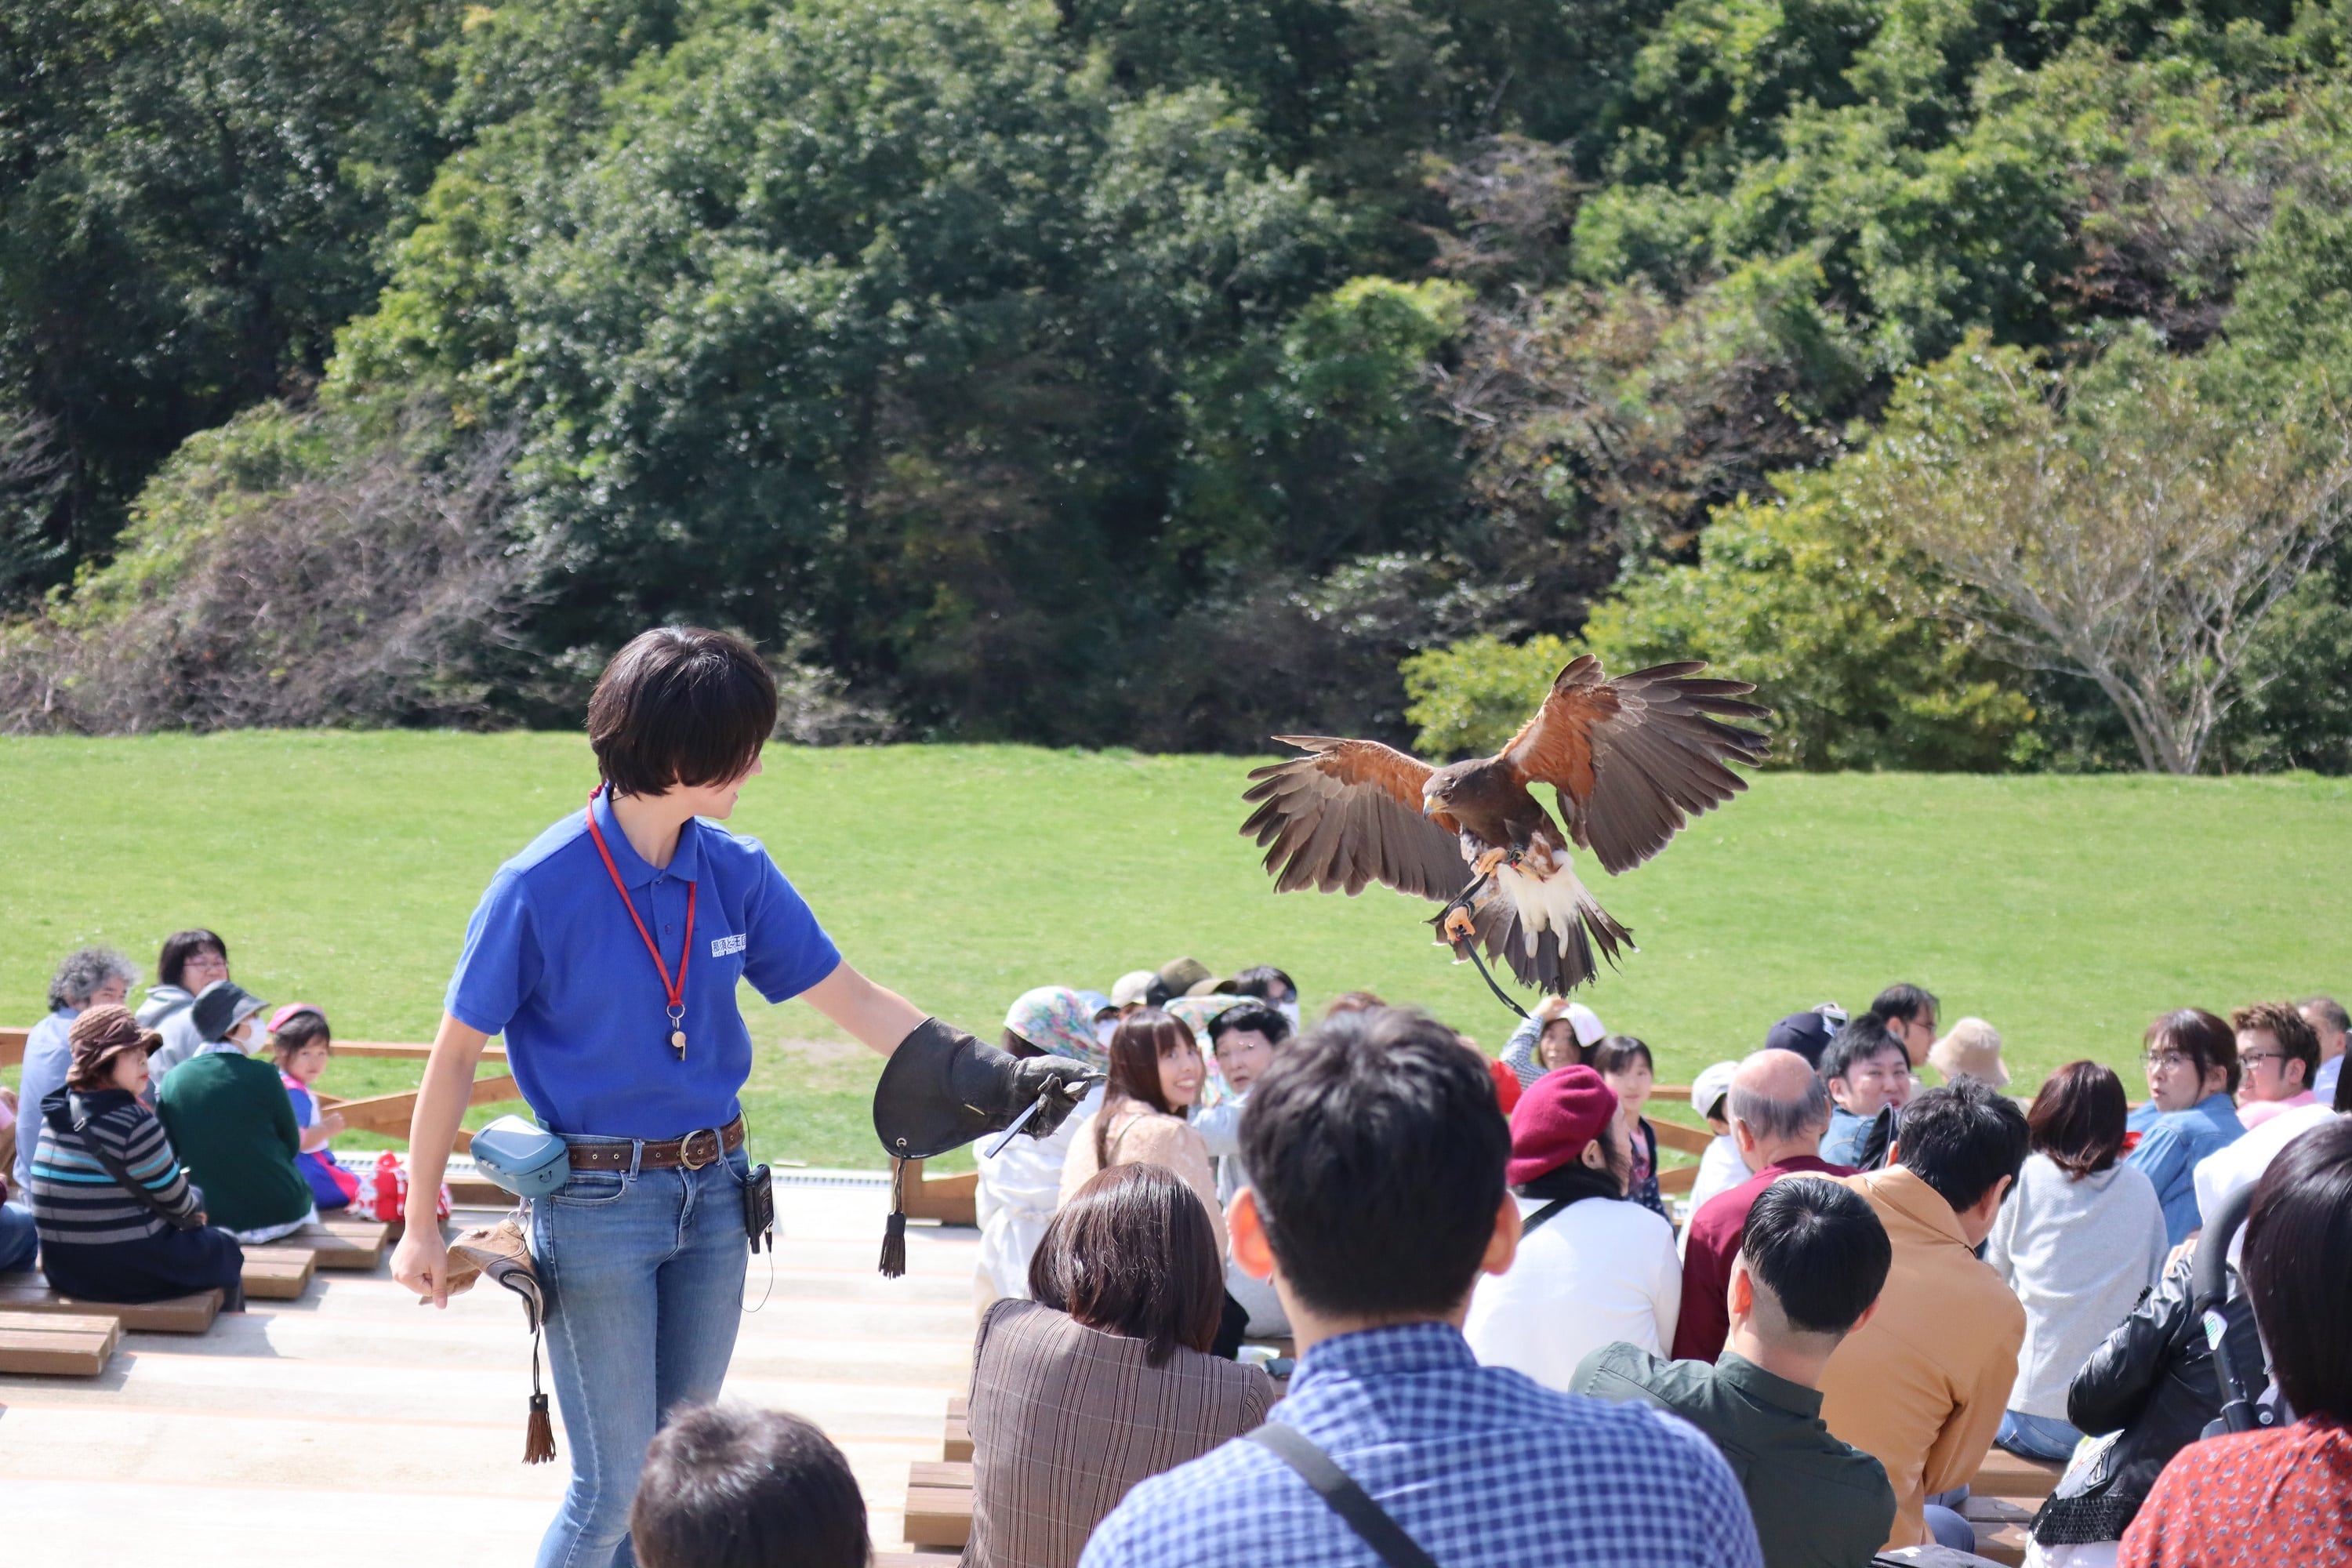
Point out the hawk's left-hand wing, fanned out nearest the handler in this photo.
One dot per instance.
(1347, 815)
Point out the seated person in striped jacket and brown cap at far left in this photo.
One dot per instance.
(119, 1219)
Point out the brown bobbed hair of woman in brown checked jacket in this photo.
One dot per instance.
(1132, 1254)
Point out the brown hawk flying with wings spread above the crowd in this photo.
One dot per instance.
(1631, 758)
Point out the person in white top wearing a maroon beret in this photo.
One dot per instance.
(1593, 1268)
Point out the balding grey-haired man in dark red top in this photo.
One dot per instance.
(1779, 1111)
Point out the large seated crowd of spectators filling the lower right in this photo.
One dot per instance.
(1502, 1360)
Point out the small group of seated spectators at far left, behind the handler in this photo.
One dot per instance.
(147, 1148)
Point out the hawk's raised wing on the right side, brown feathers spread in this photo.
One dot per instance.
(1641, 756)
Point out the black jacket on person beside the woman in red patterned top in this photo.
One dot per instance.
(2153, 1383)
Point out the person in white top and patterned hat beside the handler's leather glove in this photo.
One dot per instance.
(1022, 1188)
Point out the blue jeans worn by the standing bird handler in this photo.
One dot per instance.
(646, 1292)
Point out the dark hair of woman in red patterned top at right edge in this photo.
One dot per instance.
(2299, 1268)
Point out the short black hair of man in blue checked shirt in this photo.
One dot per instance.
(1377, 1155)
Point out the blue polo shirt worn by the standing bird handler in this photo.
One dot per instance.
(556, 965)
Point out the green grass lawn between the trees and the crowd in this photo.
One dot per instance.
(342, 869)
